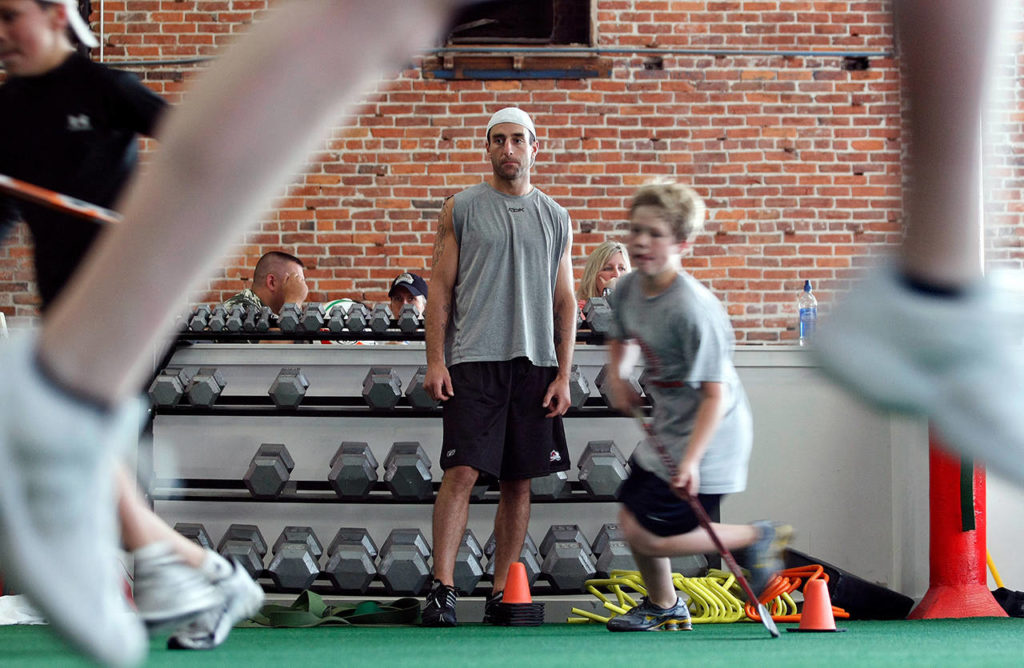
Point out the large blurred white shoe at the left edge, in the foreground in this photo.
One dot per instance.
(59, 536)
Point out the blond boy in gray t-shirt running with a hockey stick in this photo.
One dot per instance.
(702, 414)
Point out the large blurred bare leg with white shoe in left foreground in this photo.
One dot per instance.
(60, 420)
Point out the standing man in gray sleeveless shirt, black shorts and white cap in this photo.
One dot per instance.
(500, 328)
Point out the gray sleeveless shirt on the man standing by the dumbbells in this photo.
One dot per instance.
(509, 249)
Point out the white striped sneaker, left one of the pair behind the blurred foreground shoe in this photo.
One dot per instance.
(168, 593)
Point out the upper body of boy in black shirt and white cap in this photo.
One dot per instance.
(68, 124)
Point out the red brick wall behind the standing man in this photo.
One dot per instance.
(798, 158)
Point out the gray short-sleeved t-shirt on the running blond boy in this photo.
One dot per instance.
(687, 339)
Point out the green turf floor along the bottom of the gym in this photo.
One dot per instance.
(936, 643)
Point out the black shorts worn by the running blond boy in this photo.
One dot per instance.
(657, 508)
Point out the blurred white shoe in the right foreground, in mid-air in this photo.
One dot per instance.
(957, 360)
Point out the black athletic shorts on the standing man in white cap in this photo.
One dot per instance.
(496, 424)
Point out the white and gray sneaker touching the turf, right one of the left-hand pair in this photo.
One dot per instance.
(242, 599)
